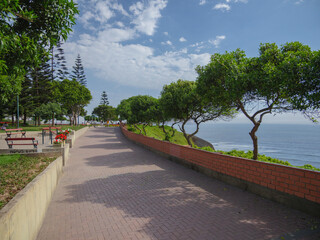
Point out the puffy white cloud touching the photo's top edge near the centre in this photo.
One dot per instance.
(146, 17)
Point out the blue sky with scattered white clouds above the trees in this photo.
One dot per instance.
(131, 47)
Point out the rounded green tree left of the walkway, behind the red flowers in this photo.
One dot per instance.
(73, 96)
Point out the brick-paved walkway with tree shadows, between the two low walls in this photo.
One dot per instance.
(114, 189)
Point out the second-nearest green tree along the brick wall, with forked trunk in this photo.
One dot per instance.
(181, 101)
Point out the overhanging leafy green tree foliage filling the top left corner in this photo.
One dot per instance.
(26, 29)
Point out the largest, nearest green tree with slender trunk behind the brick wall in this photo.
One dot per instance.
(256, 86)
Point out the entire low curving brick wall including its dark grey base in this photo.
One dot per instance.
(297, 188)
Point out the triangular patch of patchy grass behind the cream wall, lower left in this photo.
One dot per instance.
(16, 171)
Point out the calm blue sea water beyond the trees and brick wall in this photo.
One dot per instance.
(297, 144)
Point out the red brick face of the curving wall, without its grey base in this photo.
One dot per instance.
(299, 182)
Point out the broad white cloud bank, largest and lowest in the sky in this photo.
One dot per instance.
(132, 64)
